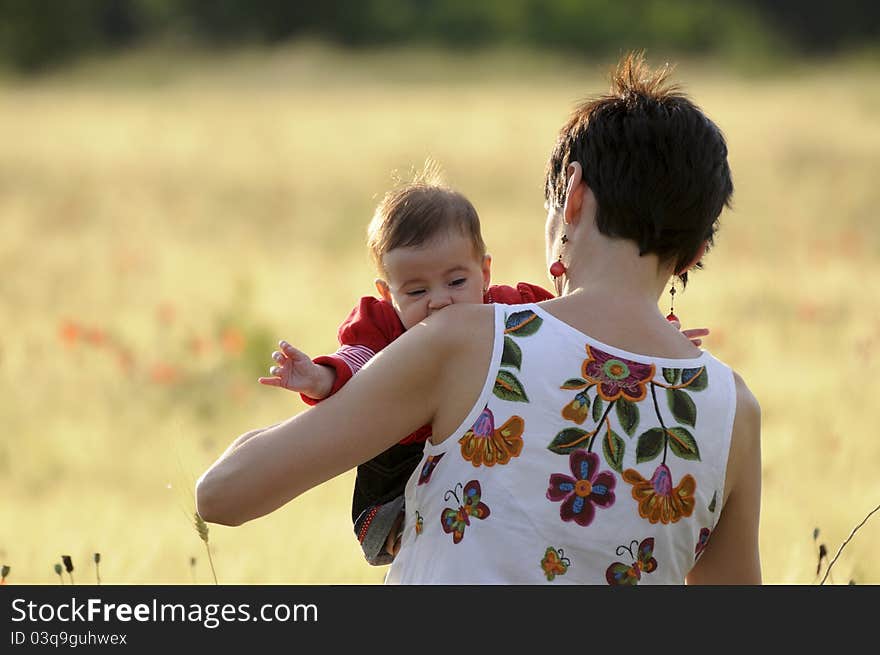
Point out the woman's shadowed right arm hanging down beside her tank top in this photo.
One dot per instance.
(732, 556)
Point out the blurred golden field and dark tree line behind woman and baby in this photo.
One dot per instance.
(183, 183)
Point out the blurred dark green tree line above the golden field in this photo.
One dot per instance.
(35, 34)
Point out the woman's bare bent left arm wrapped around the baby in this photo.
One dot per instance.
(407, 385)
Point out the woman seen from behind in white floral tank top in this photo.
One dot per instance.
(579, 440)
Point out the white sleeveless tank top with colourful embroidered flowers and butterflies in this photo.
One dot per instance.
(580, 463)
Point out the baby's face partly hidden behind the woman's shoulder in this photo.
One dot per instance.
(425, 279)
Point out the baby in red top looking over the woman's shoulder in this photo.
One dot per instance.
(426, 243)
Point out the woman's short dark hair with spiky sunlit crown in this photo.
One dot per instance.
(656, 164)
